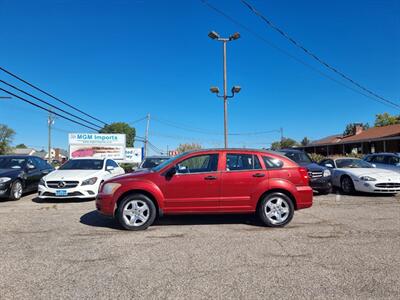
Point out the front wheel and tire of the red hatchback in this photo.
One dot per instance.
(136, 212)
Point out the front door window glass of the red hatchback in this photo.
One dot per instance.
(198, 164)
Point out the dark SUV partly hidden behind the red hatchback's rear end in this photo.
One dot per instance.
(320, 177)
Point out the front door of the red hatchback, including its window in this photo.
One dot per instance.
(196, 186)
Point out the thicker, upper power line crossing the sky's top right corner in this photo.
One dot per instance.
(310, 53)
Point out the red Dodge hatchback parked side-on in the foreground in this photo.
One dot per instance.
(209, 181)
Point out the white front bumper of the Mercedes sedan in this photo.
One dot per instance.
(81, 192)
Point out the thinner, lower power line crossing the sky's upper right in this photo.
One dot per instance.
(295, 58)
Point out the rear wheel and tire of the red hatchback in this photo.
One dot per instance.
(276, 210)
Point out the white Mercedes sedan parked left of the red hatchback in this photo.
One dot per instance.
(78, 178)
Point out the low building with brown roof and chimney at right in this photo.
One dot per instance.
(376, 139)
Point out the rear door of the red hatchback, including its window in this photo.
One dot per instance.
(242, 174)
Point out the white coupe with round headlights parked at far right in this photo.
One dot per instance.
(353, 174)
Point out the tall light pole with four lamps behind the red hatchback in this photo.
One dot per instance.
(236, 89)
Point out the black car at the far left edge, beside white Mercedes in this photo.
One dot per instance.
(20, 174)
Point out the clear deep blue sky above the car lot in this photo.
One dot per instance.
(120, 60)
